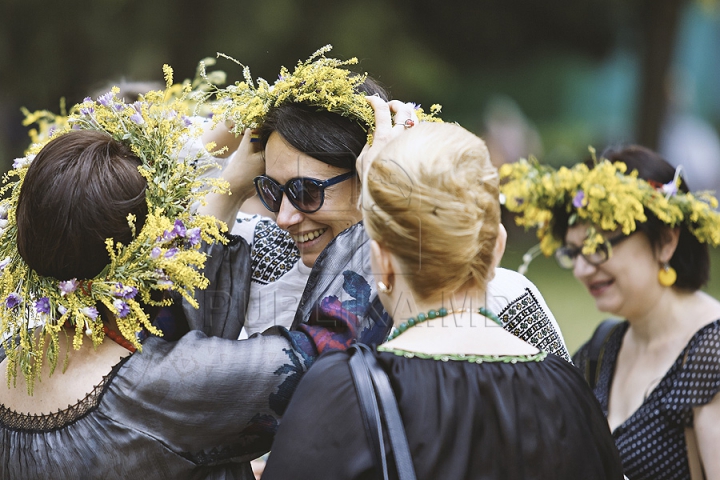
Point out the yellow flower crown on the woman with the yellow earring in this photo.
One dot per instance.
(605, 196)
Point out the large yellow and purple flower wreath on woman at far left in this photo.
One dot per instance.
(163, 255)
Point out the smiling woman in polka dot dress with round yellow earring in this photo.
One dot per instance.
(638, 241)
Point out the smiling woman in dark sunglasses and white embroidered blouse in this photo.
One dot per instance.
(312, 263)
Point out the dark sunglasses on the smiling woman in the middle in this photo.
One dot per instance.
(305, 194)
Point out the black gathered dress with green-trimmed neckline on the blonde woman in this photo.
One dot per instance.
(505, 418)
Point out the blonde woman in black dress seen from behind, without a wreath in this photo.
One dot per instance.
(476, 401)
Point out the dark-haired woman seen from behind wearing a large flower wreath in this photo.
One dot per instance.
(98, 233)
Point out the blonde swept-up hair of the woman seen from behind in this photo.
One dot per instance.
(430, 197)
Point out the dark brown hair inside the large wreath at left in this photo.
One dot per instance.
(78, 192)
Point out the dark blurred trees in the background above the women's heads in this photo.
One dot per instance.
(420, 48)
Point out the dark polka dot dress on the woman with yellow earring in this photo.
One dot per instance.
(652, 441)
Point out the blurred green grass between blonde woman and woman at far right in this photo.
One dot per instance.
(571, 304)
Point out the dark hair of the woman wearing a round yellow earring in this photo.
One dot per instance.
(691, 259)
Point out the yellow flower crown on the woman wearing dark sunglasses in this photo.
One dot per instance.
(319, 82)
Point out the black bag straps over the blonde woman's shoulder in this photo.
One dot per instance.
(364, 364)
